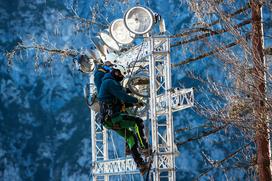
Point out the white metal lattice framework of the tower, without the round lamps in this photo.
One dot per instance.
(164, 100)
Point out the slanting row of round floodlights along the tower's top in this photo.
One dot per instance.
(118, 38)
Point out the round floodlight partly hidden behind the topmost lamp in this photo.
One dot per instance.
(120, 33)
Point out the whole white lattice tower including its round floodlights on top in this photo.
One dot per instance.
(151, 57)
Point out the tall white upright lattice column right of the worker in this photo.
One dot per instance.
(161, 110)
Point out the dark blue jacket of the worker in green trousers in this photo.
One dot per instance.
(111, 91)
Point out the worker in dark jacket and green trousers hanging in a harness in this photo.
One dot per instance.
(113, 116)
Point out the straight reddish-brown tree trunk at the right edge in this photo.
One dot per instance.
(262, 142)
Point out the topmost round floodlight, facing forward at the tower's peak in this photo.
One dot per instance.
(139, 20)
